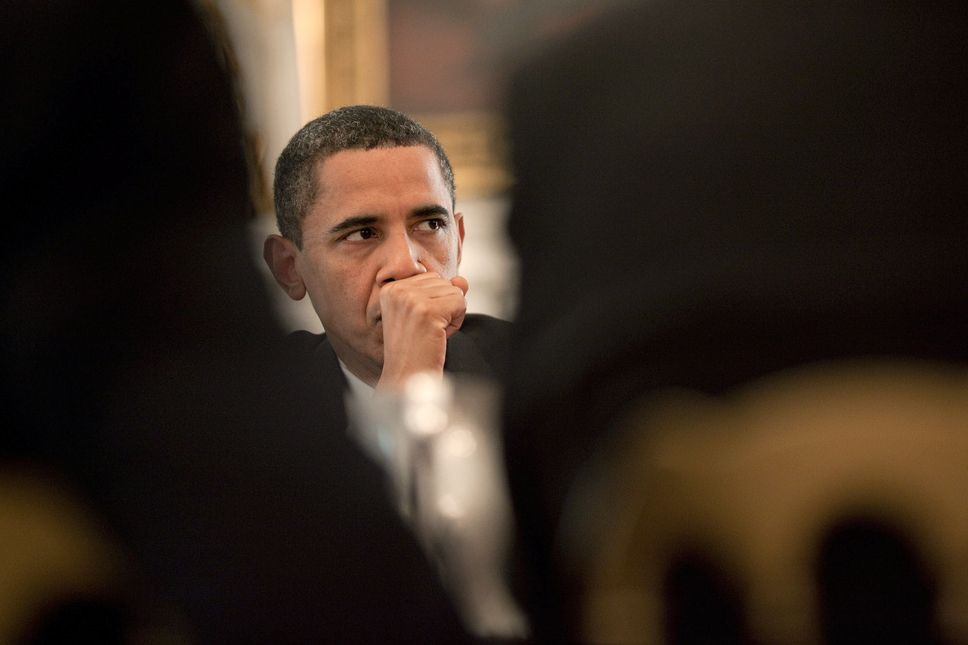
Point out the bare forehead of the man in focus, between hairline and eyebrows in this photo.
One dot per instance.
(402, 172)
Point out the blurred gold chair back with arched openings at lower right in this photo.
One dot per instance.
(826, 503)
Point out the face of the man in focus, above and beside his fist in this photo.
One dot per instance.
(380, 215)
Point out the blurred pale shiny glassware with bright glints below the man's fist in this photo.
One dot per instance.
(439, 442)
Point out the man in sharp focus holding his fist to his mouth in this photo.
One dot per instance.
(365, 203)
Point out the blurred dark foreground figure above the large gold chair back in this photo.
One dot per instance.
(709, 192)
